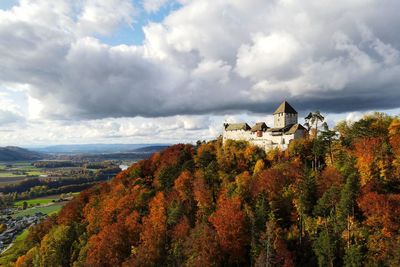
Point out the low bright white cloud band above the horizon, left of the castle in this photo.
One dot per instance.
(174, 129)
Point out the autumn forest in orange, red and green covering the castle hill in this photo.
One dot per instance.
(330, 199)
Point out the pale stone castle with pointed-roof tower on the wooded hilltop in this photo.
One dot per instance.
(286, 128)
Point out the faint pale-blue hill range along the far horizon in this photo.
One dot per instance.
(94, 148)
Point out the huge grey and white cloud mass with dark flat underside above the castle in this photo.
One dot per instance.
(210, 57)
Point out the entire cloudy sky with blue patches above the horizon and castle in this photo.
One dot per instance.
(168, 71)
